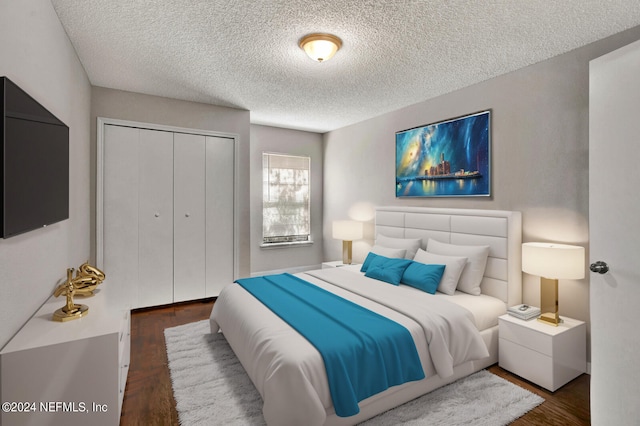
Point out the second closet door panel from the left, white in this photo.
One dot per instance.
(155, 230)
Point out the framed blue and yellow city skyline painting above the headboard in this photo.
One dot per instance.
(449, 158)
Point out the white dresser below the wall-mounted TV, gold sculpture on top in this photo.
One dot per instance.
(67, 373)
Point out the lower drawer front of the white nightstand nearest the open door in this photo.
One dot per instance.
(526, 363)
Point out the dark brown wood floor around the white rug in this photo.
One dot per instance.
(148, 398)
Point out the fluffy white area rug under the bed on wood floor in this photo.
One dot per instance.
(211, 387)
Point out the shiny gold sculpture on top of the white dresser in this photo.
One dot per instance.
(87, 279)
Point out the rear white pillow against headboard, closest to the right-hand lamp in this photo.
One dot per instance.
(471, 277)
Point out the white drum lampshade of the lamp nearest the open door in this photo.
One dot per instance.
(554, 261)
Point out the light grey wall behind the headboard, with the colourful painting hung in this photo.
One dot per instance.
(539, 146)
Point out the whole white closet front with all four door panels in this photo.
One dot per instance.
(167, 214)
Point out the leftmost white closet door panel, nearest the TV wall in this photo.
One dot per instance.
(120, 212)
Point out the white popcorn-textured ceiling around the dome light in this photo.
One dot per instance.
(244, 53)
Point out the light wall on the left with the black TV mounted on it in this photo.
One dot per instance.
(36, 54)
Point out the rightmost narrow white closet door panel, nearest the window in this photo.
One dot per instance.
(219, 189)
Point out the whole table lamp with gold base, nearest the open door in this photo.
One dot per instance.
(552, 262)
